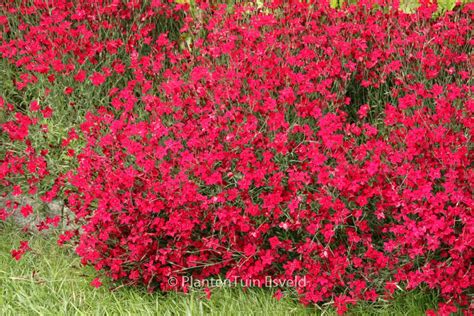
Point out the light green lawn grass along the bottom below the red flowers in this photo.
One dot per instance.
(51, 281)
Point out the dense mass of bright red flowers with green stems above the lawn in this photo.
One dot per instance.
(247, 141)
